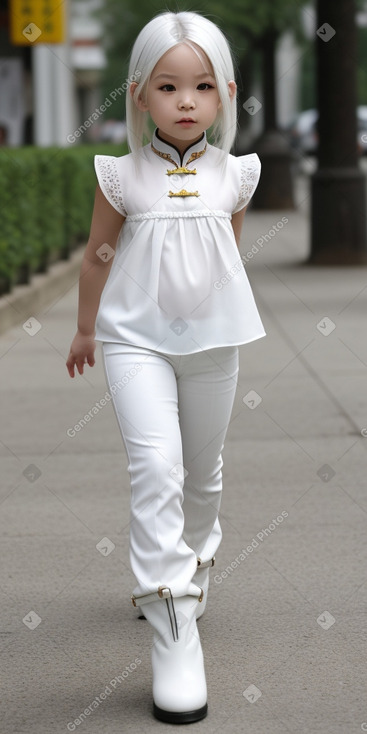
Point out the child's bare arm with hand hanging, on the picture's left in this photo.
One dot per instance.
(105, 227)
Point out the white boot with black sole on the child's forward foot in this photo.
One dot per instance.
(179, 685)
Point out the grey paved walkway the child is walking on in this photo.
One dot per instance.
(284, 632)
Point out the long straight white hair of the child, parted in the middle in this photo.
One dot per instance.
(162, 33)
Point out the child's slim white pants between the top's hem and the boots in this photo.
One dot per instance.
(173, 414)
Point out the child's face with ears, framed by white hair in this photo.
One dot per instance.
(182, 96)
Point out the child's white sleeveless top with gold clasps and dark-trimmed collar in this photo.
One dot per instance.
(177, 284)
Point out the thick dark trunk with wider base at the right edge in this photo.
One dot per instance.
(338, 224)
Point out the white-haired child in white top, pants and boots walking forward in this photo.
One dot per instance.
(176, 304)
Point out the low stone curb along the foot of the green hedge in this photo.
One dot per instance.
(29, 300)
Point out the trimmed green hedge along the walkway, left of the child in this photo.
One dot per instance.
(46, 203)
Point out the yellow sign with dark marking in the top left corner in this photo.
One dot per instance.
(37, 21)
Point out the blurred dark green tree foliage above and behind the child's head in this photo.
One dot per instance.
(252, 27)
